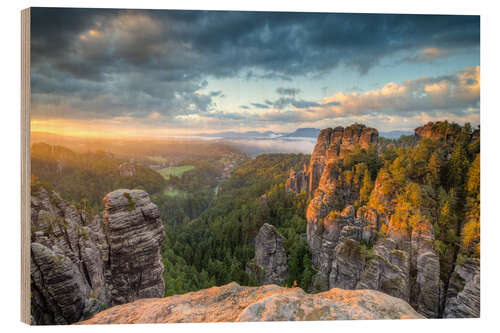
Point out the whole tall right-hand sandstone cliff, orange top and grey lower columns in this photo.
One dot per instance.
(343, 242)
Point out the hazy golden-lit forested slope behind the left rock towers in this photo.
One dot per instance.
(85, 178)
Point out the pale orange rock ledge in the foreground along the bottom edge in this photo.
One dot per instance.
(233, 302)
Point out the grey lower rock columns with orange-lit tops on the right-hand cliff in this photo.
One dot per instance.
(400, 264)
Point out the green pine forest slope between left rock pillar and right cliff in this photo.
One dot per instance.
(214, 248)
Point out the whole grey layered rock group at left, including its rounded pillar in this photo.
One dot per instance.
(80, 265)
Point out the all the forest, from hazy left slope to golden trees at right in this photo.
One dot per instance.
(210, 233)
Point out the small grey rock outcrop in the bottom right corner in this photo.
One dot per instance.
(463, 295)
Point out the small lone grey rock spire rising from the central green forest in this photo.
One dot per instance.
(270, 264)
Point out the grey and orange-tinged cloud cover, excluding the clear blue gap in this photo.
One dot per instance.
(154, 66)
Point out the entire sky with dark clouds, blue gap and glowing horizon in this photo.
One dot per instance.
(104, 72)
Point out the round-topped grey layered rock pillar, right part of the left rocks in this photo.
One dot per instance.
(135, 234)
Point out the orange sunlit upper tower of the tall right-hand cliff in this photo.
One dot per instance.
(332, 144)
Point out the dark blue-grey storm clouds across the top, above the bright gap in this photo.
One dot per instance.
(107, 63)
